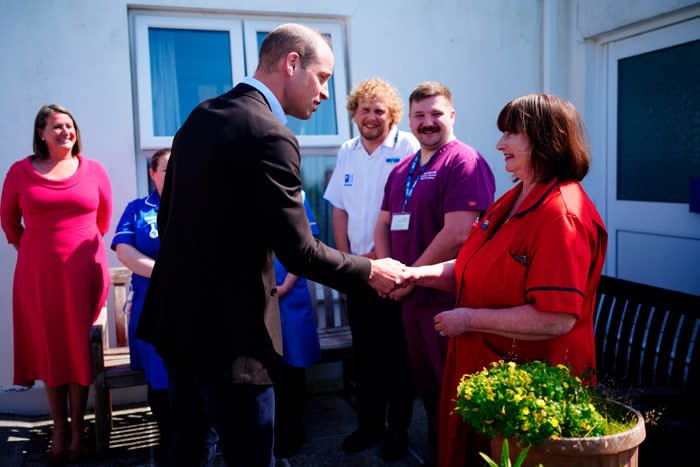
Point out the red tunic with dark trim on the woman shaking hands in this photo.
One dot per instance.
(549, 254)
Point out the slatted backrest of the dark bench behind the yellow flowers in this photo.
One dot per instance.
(647, 336)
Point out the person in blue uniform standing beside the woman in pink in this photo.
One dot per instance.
(136, 243)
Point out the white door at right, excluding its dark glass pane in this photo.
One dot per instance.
(673, 224)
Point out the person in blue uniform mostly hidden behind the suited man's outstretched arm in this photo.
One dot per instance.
(301, 349)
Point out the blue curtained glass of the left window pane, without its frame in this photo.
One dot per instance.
(187, 67)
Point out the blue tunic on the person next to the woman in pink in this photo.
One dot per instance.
(138, 228)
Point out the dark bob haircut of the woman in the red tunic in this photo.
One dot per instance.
(556, 134)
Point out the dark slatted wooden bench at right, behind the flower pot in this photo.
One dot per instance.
(648, 347)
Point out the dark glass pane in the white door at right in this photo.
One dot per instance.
(658, 101)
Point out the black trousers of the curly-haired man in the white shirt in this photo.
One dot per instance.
(382, 369)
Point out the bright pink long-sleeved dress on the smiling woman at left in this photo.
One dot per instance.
(61, 277)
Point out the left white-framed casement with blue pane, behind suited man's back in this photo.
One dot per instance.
(181, 61)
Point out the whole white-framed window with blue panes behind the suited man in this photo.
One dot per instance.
(180, 60)
